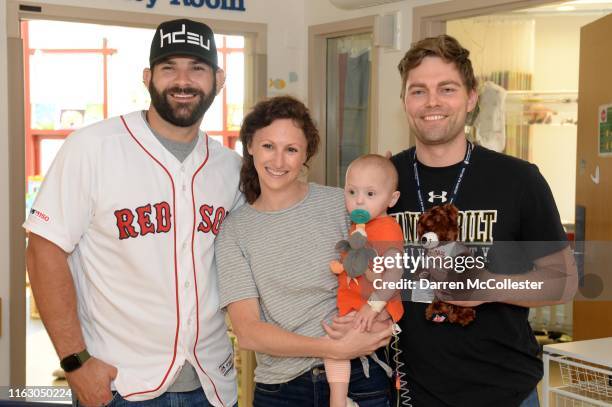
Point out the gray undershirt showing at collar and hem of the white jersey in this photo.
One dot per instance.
(187, 378)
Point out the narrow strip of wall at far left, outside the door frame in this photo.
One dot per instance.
(4, 210)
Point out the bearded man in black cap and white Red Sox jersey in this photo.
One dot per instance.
(120, 253)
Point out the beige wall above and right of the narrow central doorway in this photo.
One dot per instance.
(393, 133)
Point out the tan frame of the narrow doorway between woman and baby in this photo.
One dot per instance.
(317, 79)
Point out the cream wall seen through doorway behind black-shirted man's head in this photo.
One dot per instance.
(547, 44)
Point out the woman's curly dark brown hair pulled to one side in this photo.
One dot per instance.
(262, 115)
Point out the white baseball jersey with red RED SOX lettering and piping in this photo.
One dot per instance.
(139, 227)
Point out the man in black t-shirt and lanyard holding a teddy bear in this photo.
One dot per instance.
(494, 360)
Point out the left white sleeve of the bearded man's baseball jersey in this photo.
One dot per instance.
(64, 204)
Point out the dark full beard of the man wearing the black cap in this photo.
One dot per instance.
(173, 114)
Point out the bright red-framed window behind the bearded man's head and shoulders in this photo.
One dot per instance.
(77, 74)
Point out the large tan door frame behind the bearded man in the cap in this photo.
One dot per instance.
(256, 71)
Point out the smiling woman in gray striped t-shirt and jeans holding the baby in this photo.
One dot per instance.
(273, 259)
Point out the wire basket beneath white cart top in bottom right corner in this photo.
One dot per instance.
(586, 379)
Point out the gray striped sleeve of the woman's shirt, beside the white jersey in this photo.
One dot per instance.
(236, 280)
